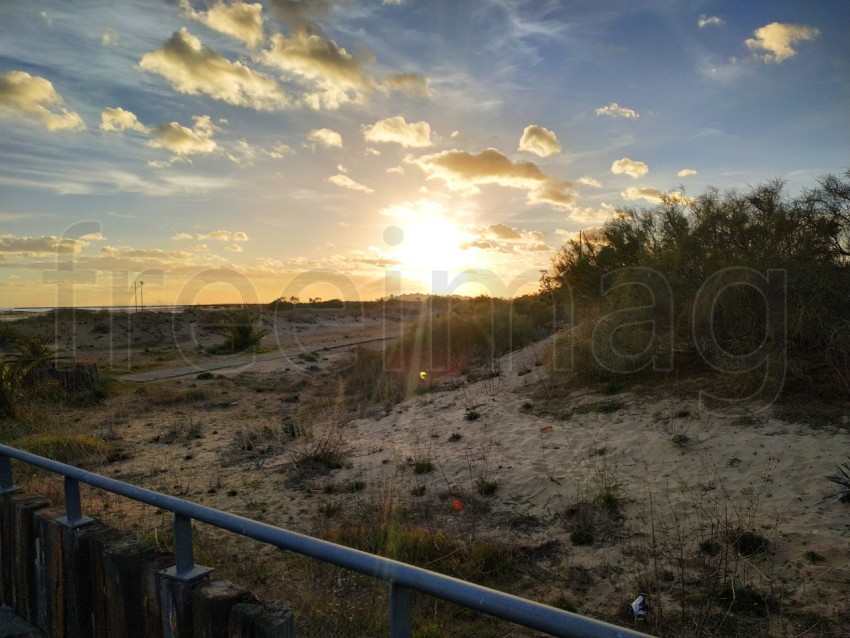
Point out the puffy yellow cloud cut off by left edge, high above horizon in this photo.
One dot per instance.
(33, 98)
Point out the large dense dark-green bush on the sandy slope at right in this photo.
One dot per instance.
(671, 279)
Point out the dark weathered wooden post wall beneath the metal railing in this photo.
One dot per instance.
(94, 582)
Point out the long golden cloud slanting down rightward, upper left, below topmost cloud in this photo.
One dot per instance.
(192, 68)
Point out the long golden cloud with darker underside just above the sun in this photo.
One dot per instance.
(464, 172)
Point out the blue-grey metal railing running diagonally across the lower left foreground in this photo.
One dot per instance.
(402, 578)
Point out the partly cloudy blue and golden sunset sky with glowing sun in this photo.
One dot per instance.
(242, 152)
